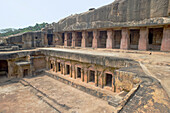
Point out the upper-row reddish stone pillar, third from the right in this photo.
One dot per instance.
(125, 41)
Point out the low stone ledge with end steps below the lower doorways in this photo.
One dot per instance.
(113, 99)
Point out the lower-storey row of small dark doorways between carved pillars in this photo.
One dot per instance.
(99, 76)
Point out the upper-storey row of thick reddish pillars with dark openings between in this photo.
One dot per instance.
(141, 37)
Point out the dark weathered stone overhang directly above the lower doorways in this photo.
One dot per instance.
(87, 58)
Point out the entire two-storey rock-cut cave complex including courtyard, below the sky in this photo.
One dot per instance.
(113, 59)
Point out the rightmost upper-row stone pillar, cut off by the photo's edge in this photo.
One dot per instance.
(165, 46)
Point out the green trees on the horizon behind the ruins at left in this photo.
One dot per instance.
(10, 31)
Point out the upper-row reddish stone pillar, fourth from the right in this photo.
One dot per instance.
(110, 39)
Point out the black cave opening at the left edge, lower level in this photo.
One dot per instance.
(3, 68)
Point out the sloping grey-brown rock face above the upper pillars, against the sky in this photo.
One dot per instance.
(118, 13)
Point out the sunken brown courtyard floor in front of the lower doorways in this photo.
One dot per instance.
(43, 94)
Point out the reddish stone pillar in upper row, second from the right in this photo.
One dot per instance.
(143, 40)
